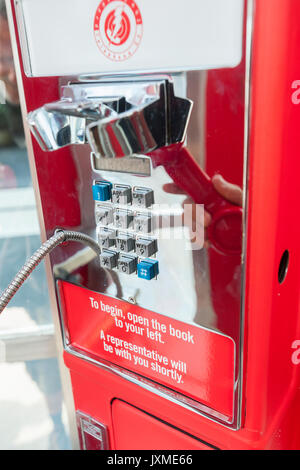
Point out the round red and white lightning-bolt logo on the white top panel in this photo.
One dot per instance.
(118, 28)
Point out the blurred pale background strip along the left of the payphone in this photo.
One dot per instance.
(32, 411)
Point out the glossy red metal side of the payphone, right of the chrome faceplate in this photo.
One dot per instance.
(272, 308)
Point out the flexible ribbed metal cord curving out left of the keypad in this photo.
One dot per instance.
(60, 236)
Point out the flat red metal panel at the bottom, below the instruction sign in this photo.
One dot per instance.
(135, 430)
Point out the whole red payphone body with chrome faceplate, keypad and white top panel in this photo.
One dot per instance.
(172, 341)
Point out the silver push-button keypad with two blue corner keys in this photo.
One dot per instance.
(125, 236)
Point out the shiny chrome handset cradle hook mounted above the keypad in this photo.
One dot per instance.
(118, 119)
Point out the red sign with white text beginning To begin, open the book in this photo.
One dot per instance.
(189, 359)
